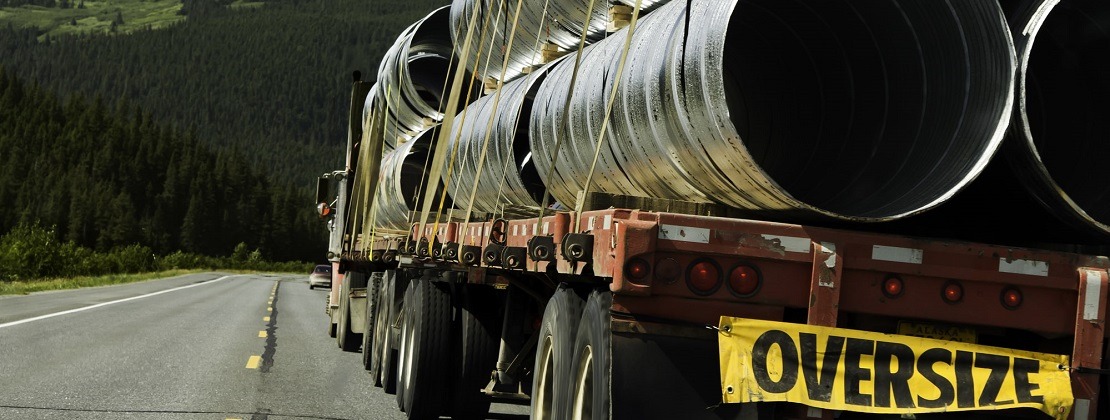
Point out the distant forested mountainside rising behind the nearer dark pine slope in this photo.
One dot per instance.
(270, 83)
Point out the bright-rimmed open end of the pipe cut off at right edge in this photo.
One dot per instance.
(1062, 134)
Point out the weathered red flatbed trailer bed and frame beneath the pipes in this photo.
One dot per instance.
(667, 281)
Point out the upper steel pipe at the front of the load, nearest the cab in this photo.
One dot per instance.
(411, 78)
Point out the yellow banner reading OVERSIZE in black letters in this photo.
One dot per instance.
(842, 369)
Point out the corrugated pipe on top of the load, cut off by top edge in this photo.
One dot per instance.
(547, 23)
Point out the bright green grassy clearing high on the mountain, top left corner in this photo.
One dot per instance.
(96, 18)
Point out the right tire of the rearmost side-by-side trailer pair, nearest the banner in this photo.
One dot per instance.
(590, 389)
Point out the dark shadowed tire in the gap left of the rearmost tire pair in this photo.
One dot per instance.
(480, 341)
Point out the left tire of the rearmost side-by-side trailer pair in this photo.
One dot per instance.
(551, 382)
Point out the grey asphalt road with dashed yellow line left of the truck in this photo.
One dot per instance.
(193, 347)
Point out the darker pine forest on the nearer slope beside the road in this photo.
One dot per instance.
(110, 177)
